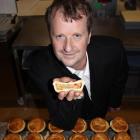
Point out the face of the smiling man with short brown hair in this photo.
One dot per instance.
(70, 40)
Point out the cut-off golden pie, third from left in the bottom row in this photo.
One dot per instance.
(56, 136)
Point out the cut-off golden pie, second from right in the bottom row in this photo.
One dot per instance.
(100, 136)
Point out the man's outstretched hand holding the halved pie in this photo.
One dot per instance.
(69, 95)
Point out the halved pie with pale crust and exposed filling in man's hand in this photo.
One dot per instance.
(63, 86)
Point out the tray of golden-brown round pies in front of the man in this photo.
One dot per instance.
(95, 129)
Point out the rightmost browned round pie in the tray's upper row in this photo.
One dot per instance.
(119, 124)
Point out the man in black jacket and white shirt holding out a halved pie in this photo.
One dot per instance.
(73, 55)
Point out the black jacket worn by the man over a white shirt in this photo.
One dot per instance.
(108, 75)
